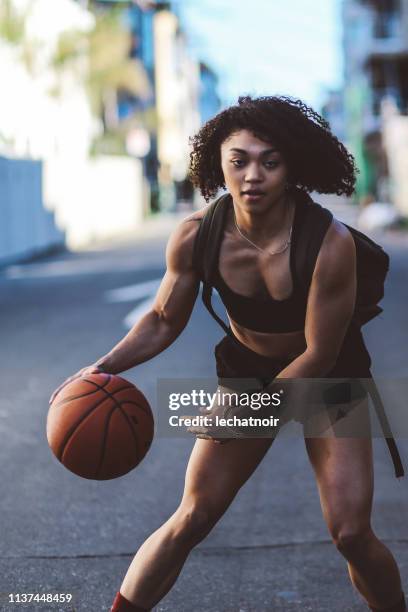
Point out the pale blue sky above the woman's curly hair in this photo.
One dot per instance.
(290, 47)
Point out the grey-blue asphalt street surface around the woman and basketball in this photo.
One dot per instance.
(60, 533)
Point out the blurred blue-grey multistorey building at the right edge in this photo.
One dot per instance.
(375, 43)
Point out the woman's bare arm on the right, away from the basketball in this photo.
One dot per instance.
(330, 305)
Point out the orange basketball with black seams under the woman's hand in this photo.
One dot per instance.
(100, 426)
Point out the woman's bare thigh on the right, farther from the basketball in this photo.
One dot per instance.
(344, 473)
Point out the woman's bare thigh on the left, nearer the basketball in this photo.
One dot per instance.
(216, 472)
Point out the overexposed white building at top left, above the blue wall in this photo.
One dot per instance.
(38, 106)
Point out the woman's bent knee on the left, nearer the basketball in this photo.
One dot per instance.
(194, 519)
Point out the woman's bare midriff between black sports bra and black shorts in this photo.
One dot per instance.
(278, 346)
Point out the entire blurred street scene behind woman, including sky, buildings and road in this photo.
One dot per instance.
(99, 99)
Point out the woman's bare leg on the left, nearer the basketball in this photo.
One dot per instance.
(215, 473)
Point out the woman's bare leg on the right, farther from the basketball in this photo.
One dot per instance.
(344, 473)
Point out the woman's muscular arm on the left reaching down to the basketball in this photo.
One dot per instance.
(168, 316)
